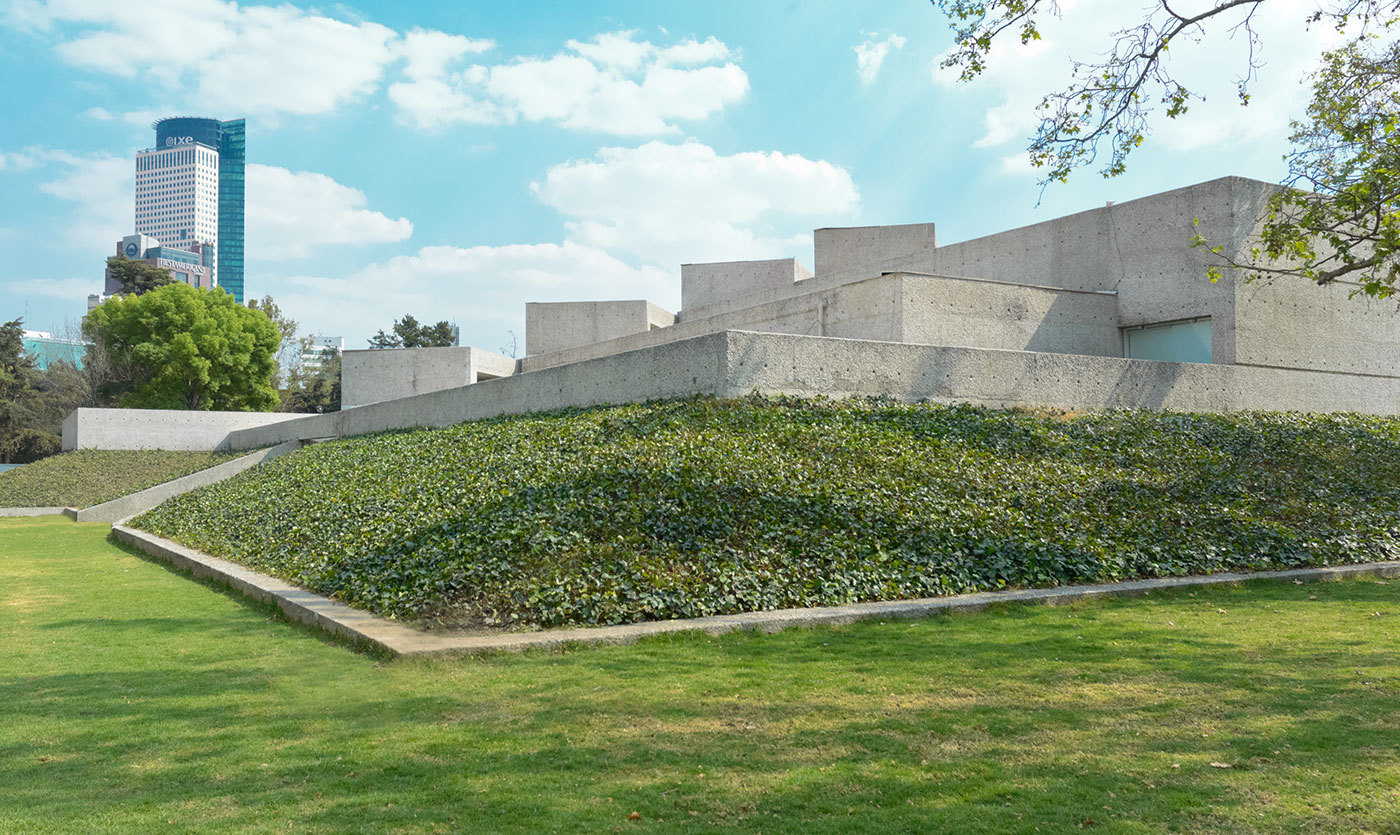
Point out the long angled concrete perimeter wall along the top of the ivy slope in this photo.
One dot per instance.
(736, 364)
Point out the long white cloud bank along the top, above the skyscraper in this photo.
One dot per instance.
(271, 61)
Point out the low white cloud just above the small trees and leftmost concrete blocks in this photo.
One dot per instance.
(484, 289)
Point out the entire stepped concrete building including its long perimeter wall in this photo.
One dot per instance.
(1100, 310)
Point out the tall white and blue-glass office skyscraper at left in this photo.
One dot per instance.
(190, 193)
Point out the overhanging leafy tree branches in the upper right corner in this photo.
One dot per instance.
(1338, 215)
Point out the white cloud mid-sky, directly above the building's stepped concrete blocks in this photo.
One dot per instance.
(673, 204)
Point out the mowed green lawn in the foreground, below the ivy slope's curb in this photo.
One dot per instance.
(136, 701)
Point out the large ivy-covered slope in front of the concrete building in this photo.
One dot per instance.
(699, 508)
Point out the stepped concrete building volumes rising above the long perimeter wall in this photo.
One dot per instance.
(1121, 281)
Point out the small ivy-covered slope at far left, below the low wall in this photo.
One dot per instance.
(85, 478)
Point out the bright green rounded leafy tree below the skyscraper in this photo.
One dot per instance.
(184, 348)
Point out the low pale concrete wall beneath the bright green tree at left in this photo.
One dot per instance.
(159, 429)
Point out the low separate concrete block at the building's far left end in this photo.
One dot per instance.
(373, 376)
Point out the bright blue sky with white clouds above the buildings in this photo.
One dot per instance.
(456, 160)
